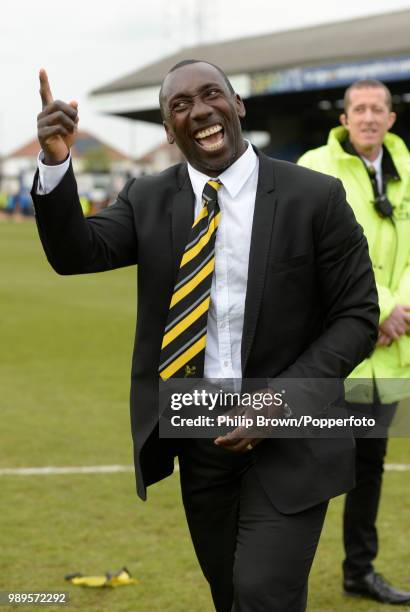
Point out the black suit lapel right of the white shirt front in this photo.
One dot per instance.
(263, 217)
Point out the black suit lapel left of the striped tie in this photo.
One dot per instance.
(182, 217)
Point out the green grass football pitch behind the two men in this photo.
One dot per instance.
(64, 375)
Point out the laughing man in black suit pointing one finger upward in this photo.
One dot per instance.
(292, 297)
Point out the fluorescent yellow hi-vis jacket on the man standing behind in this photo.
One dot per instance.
(389, 248)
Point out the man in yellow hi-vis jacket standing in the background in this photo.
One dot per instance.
(374, 167)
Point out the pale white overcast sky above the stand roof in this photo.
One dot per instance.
(84, 44)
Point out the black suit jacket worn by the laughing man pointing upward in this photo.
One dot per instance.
(311, 304)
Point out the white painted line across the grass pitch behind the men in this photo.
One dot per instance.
(112, 469)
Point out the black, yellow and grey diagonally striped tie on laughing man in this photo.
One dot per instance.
(183, 345)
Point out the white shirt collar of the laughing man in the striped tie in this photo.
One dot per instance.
(233, 178)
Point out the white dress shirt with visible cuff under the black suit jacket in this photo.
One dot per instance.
(236, 200)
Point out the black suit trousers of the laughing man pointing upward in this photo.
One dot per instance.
(254, 557)
